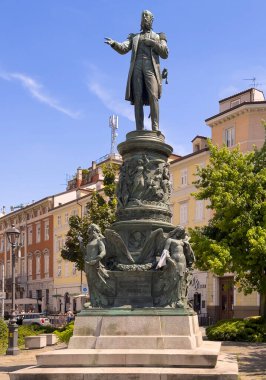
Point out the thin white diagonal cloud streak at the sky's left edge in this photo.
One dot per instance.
(36, 90)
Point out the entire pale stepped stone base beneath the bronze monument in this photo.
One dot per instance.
(120, 344)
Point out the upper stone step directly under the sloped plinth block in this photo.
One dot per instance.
(204, 356)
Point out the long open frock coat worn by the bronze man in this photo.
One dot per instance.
(160, 50)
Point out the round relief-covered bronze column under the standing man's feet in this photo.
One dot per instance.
(143, 189)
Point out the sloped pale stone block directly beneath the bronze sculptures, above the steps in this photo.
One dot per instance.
(136, 329)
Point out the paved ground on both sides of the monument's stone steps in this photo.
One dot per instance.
(251, 359)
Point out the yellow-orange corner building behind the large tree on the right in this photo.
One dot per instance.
(239, 122)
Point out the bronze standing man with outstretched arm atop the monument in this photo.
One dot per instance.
(144, 84)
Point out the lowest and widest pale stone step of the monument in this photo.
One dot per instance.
(226, 369)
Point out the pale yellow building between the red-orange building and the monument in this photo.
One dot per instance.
(70, 285)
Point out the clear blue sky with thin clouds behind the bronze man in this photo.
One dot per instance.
(59, 82)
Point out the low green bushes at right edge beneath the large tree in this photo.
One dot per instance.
(241, 330)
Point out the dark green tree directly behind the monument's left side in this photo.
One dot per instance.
(101, 210)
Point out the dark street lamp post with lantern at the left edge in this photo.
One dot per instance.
(13, 236)
